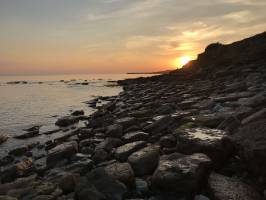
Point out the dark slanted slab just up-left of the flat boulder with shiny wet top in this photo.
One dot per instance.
(159, 125)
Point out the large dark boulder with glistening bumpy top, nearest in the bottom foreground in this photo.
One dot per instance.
(181, 176)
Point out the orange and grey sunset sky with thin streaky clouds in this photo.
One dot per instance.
(117, 36)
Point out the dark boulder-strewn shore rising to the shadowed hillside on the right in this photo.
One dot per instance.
(198, 133)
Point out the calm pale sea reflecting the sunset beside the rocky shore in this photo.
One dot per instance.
(43, 99)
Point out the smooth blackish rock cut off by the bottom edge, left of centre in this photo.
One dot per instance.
(105, 184)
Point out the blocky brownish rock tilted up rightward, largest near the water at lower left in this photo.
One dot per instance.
(60, 152)
